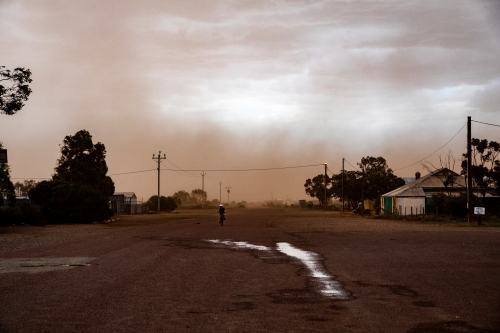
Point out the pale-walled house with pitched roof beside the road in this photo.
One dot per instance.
(414, 198)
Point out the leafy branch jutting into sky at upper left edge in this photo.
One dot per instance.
(12, 97)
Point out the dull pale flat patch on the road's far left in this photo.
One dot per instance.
(38, 265)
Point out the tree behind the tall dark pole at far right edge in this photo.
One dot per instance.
(485, 167)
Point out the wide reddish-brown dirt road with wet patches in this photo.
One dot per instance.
(185, 273)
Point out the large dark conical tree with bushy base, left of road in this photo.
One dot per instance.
(79, 190)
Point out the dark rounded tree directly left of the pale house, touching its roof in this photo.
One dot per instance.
(377, 177)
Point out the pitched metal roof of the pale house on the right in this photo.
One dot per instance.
(432, 180)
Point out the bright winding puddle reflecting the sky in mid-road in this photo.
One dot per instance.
(328, 286)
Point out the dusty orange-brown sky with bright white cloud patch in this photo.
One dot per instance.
(232, 85)
